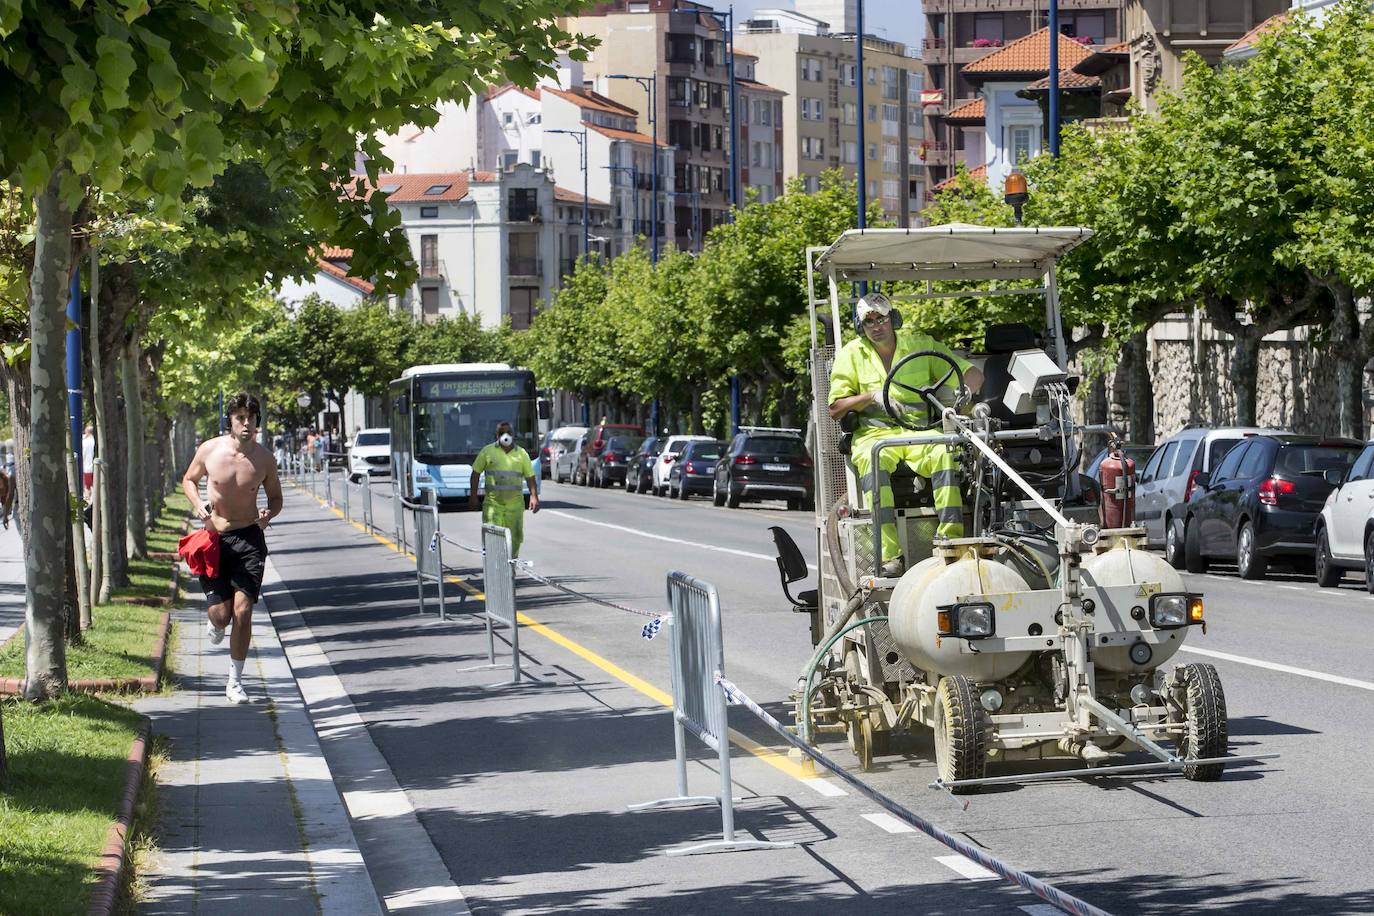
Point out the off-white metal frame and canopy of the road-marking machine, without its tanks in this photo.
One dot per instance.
(890, 694)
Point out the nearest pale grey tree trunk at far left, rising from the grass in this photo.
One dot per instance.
(47, 527)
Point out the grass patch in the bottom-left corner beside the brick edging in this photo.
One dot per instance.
(67, 777)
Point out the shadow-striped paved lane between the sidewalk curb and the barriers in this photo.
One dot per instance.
(523, 792)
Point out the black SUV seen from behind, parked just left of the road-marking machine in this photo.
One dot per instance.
(766, 465)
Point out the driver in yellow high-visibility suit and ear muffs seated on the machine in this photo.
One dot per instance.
(857, 381)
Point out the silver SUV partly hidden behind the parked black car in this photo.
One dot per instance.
(1166, 484)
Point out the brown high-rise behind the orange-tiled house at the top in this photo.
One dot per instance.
(960, 32)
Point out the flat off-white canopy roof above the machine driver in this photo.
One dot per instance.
(950, 252)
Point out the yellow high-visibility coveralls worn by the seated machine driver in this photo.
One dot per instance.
(859, 369)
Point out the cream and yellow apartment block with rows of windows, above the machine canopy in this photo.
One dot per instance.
(818, 72)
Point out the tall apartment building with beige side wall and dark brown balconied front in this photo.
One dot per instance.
(682, 45)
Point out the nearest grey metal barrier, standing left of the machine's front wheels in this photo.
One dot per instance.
(699, 659)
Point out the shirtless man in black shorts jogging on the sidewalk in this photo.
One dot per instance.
(237, 466)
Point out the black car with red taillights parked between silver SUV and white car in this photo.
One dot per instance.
(1263, 501)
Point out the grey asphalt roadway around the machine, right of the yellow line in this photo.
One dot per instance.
(1284, 837)
